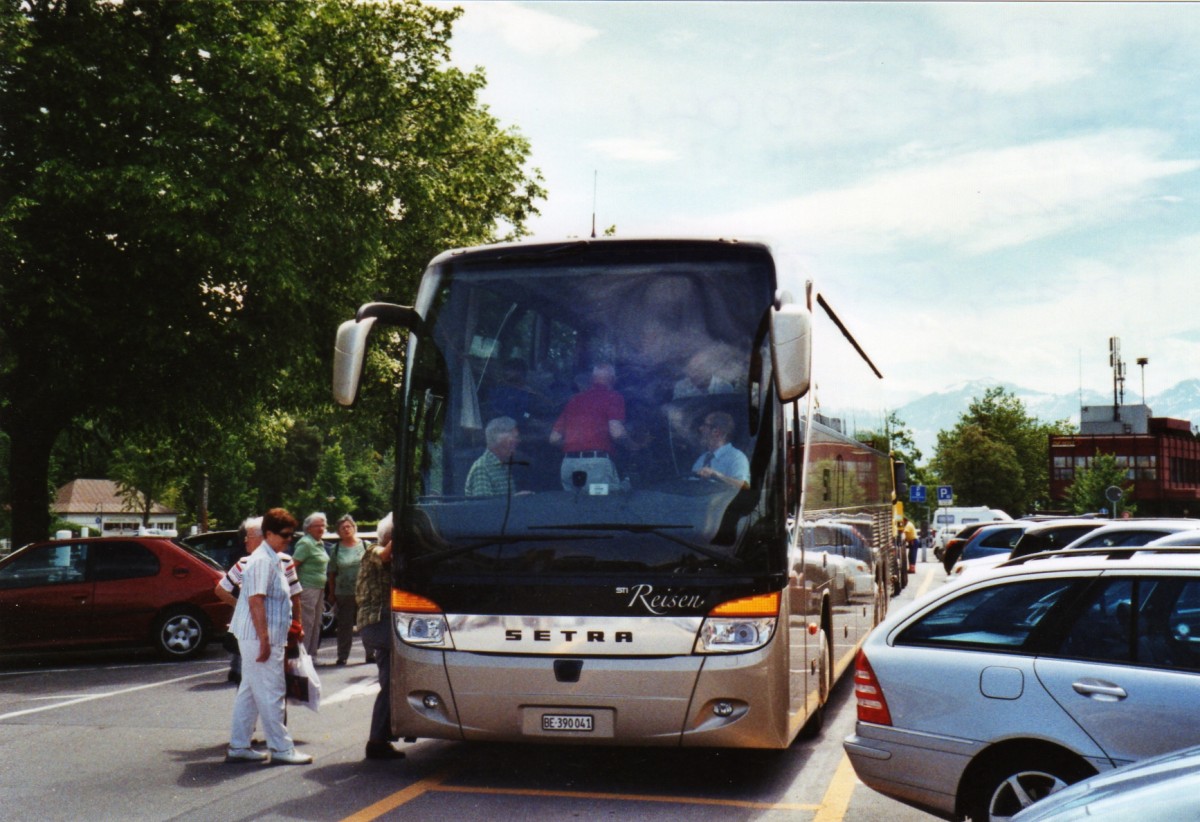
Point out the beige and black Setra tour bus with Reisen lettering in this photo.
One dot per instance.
(625, 593)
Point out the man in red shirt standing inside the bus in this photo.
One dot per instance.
(589, 429)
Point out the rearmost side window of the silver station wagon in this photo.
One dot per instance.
(998, 617)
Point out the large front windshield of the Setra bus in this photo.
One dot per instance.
(593, 409)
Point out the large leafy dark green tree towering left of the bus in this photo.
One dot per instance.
(194, 195)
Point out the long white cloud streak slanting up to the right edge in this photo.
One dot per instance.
(981, 201)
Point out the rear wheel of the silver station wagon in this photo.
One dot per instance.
(1005, 790)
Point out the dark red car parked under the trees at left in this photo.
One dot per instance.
(111, 592)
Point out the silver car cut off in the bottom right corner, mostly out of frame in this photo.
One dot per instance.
(1162, 789)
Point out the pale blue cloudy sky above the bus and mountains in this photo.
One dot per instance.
(985, 191)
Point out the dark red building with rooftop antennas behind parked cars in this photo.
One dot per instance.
(1161, 457)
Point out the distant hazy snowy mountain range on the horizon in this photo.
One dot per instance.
(941, 411)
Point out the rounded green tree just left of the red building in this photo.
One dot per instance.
(998, 455)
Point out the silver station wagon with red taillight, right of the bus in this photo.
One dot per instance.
(985, 697)
